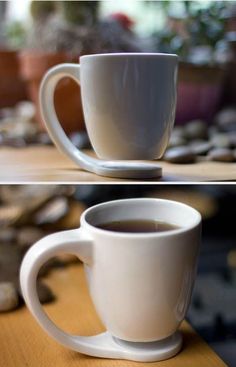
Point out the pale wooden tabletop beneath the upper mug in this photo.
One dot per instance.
(46, 164)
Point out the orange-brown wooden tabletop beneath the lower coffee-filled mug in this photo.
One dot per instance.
(23, 343)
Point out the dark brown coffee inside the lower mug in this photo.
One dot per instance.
(137, 226)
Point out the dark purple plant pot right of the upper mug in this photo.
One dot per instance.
(199, 92)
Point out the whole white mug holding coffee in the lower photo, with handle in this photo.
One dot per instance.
(140, 284)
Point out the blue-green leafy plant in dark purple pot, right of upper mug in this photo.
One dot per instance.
(194, 36)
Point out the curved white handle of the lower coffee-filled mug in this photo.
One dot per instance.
(76, 242)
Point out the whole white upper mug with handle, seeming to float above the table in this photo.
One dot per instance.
(129, 105)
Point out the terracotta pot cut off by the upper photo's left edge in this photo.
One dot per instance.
(12, 87)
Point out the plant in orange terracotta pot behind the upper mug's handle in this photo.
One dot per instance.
(42, 52)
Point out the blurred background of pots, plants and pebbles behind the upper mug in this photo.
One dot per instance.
(39, 34)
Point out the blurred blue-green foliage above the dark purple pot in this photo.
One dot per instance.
(196, 26)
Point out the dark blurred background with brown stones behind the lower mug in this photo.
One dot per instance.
(29, 212)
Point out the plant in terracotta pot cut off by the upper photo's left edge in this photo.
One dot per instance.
(12, 87)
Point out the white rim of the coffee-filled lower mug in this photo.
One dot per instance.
(85, 224)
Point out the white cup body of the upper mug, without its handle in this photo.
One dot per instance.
(129, 103)
